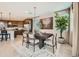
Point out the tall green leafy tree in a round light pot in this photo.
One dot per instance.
(61, 25)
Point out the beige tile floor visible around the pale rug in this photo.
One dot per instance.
(7, 50)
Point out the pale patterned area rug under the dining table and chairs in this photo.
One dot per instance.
(28, 52)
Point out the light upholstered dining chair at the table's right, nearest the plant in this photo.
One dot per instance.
(52, 42)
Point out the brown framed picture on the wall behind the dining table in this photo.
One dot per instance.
(47, 23)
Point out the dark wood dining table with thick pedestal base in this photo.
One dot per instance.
(42, 37)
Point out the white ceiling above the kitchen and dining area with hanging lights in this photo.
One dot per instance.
(20, 10)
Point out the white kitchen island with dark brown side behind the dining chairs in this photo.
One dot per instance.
(14, 31)
